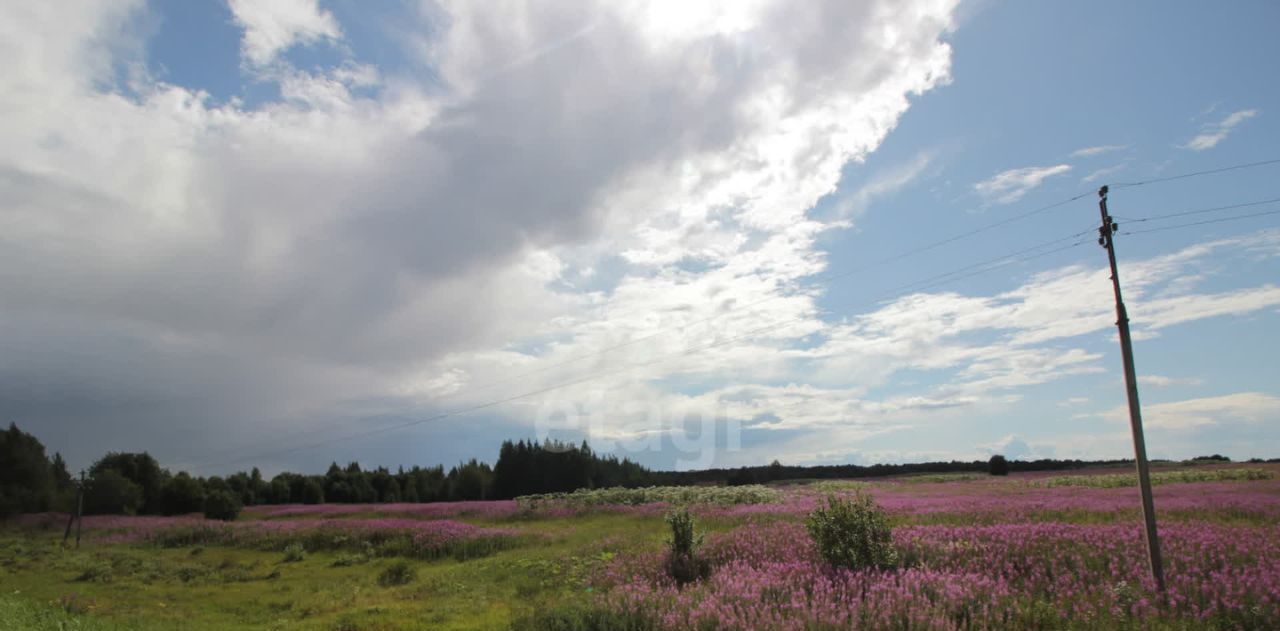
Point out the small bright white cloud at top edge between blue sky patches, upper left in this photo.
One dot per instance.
(275, 26)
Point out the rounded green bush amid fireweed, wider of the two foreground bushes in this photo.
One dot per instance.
(853, 533)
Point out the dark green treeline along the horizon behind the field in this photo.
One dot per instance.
(136, 484)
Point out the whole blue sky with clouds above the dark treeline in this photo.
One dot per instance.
(284, 234)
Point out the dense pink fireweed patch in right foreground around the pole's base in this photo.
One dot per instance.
(1004, 577)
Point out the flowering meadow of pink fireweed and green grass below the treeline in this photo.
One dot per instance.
(976, 552)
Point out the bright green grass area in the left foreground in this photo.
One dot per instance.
(145, 587)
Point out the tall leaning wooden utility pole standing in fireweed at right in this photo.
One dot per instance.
(1131, 381)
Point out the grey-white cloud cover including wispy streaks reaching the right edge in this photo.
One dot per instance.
(588, 212)
